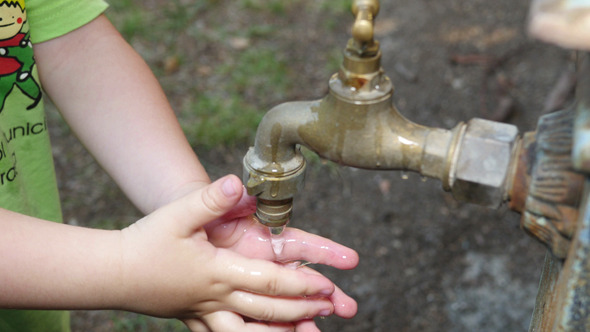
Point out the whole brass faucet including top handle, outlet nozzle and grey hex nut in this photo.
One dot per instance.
(356, 124)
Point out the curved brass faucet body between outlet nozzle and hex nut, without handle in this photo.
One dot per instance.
(369, 134)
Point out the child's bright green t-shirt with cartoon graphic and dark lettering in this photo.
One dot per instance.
(27, 177)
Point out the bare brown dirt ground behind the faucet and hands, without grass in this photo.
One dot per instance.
(427, 262)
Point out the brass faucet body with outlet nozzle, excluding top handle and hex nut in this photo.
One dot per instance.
(355, 125)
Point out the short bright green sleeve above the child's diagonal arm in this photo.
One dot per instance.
(50, 19)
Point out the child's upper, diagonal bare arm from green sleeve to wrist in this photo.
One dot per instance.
(115, 105)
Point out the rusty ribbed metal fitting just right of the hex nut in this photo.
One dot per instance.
(551, 207)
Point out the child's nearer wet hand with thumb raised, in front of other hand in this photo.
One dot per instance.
(170, 269)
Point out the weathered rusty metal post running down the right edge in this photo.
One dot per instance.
(563, 301)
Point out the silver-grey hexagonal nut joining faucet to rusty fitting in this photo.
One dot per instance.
(483, 162)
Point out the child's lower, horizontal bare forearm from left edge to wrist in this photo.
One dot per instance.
(46, 265)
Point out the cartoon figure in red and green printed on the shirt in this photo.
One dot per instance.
(16, 53)
